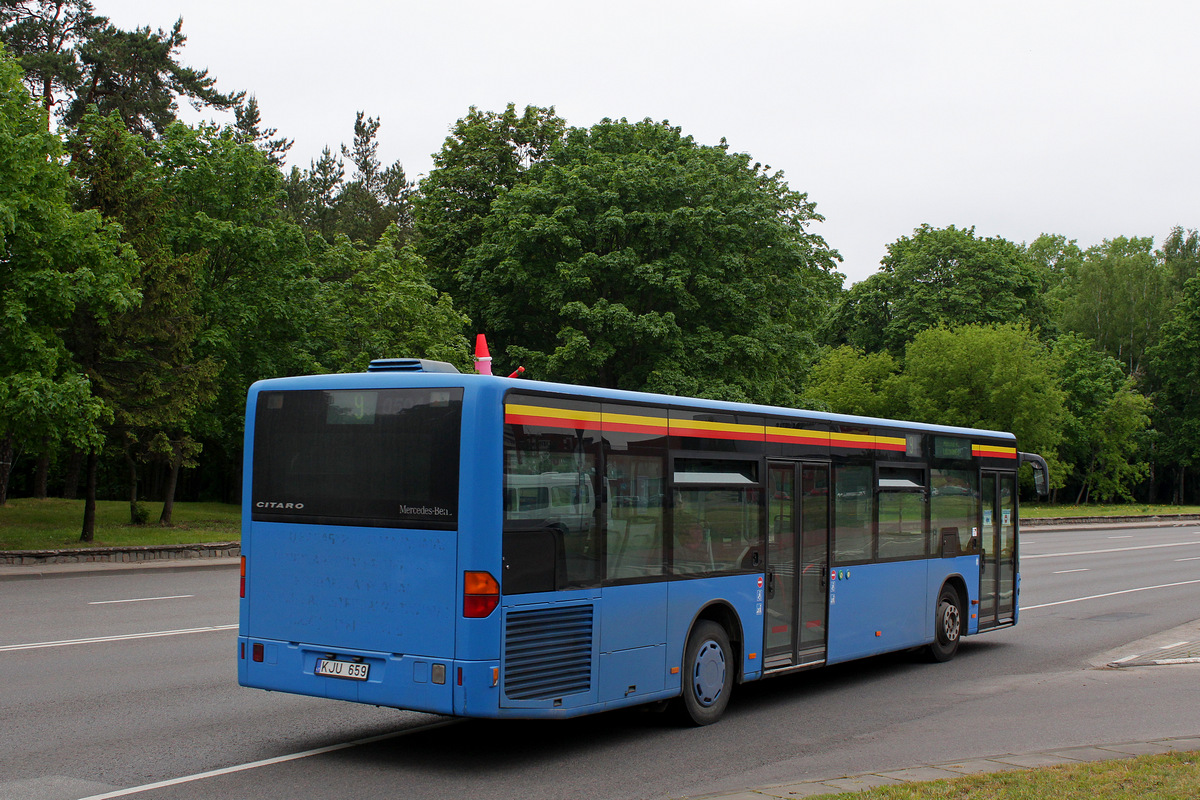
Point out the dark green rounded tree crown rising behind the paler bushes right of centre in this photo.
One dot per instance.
(941, 276)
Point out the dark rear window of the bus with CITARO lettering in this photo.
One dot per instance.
(386, 458)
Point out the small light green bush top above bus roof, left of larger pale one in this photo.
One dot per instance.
(847, 381)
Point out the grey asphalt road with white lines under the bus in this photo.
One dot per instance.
(92, 707)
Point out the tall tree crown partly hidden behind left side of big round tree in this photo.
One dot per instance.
(487, 154)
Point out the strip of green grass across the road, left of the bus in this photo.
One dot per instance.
(28, 525)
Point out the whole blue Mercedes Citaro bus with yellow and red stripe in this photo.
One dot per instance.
(490, 548)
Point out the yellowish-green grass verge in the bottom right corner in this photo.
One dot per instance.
(1173, 777)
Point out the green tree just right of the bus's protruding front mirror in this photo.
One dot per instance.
(1105, 417)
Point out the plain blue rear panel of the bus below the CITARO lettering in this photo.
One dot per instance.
(383, 597)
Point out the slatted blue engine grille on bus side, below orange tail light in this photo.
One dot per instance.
(548, 653)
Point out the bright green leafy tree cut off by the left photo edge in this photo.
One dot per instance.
(52, 262)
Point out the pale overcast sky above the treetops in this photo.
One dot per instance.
(1016, 118)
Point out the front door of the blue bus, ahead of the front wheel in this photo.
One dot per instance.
(998, 563)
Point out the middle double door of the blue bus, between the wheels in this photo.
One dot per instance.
(797, 566)
